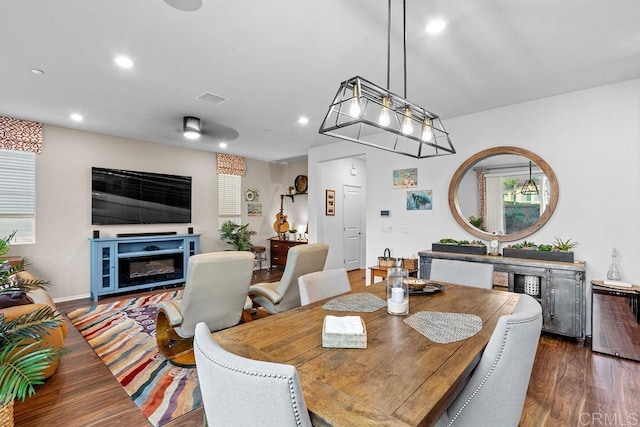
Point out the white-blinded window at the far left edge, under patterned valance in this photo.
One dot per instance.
(18, 195)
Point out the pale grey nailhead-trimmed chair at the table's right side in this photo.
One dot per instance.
(495, 393)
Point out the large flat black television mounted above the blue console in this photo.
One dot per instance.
(132, 197)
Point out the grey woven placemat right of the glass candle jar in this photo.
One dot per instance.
(444, 328)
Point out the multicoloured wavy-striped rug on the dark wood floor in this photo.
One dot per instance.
(122, 333)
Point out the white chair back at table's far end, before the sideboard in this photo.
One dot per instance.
(476, 274)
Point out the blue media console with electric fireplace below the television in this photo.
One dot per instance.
(124, 264)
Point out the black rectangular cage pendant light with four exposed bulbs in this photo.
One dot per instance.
(368, 114)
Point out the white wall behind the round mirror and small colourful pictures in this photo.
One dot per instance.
(590, 138)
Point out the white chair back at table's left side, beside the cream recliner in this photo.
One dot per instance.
(323, 284)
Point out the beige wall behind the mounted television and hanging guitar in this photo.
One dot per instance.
(63, 199)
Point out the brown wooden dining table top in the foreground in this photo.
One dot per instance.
(402, 378)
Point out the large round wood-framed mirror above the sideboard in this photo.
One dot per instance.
(507, 190)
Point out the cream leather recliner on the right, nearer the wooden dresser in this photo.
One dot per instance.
(280, 296)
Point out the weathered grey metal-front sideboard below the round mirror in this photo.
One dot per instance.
(561, 286)
